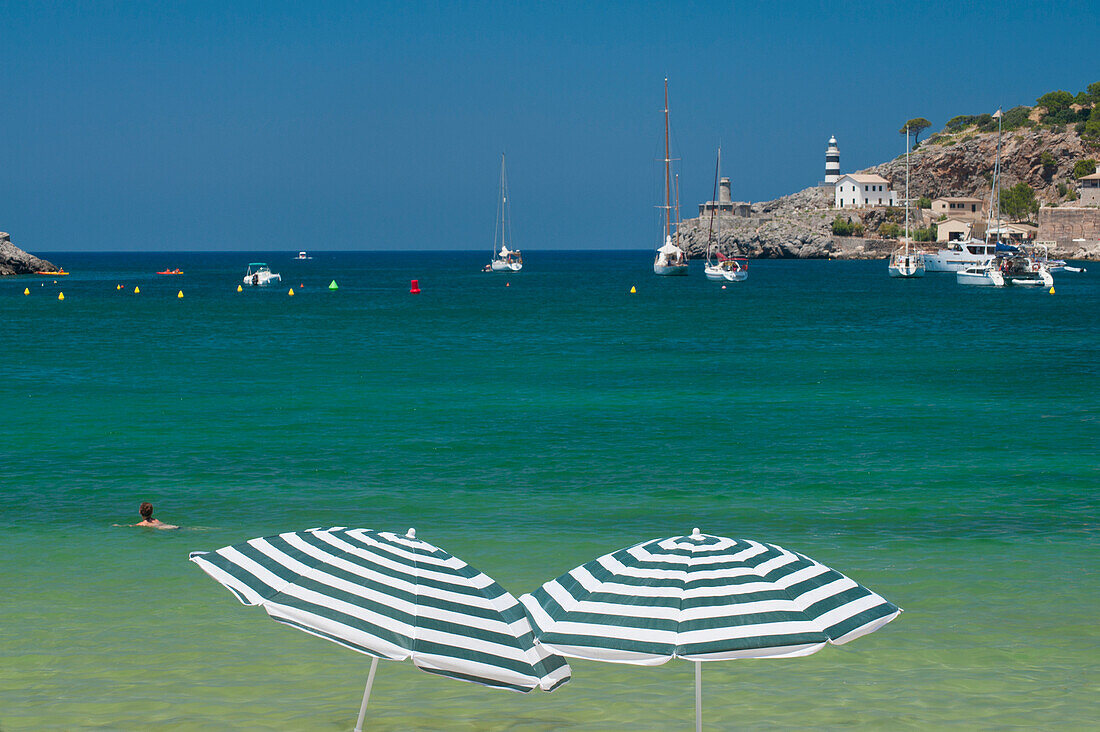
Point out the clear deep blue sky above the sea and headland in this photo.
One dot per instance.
(232, 126)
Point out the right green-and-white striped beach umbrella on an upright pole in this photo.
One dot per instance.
(701, 598)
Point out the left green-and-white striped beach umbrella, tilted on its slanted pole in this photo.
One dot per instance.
(391, 597)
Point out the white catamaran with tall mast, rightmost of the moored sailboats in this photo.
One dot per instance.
(1021, 266)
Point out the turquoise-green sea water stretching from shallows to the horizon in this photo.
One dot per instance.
(936, 443)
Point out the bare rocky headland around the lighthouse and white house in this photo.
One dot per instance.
(799, 226)
